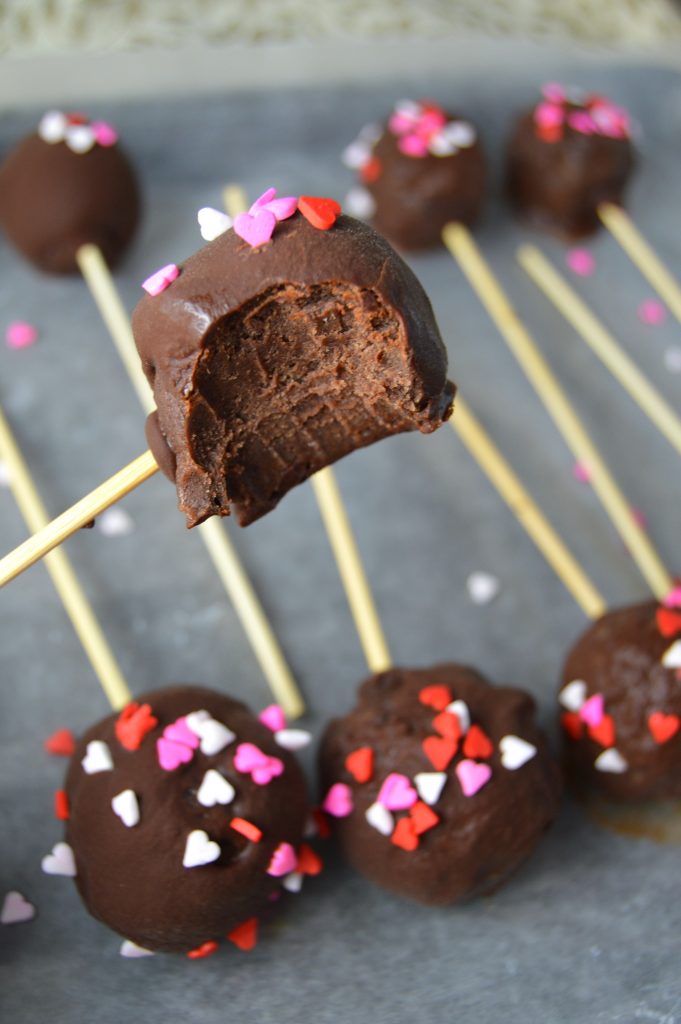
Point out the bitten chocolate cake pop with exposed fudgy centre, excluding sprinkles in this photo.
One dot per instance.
(270, 364)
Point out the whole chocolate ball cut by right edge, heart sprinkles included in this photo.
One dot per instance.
(621, 705)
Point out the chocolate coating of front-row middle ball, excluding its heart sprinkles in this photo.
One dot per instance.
(481, 840)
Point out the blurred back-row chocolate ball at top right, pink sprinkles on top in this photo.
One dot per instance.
(567, 157)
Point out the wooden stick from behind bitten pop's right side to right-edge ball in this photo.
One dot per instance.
(527, 511)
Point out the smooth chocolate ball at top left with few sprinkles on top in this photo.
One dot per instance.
(67, 185)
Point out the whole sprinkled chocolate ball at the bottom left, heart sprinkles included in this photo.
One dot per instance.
(186, 820)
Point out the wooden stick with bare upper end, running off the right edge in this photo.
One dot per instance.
(564, 296)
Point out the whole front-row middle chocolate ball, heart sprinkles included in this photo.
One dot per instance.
(438, 785)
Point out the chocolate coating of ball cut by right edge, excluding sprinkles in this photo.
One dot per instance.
(620, 657)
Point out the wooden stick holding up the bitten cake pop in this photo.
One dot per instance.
(57, 532)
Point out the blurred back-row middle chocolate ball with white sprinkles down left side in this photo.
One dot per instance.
(422, 170)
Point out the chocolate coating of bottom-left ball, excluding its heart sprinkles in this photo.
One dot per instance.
(133, 879)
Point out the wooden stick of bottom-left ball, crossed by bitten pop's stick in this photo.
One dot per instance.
(64, 578)
